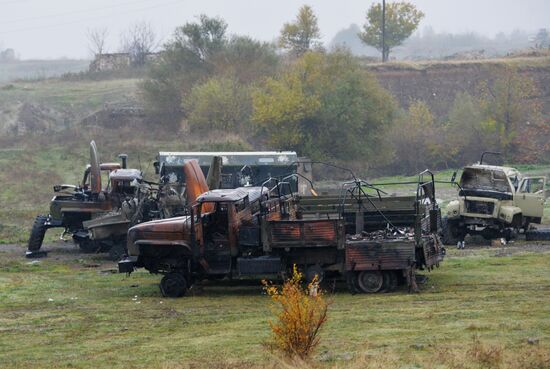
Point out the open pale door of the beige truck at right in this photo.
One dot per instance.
(530, 196)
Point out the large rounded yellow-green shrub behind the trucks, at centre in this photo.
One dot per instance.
(327, 106)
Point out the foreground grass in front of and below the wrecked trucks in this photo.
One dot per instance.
(71, 311)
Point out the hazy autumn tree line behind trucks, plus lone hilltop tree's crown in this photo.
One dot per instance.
(296, 95)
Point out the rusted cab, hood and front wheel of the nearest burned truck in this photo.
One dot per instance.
(209, 243)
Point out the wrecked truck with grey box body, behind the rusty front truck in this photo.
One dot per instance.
(167, 198)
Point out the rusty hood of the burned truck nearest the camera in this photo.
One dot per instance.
(164, 232)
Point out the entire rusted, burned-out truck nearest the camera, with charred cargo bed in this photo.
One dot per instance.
(373, 242)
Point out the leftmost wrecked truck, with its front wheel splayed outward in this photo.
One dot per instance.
(73, 205)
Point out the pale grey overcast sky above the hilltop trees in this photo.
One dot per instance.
(57, 28)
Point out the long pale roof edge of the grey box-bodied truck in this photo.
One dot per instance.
(237, 158)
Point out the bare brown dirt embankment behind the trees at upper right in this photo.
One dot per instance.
(437, 83)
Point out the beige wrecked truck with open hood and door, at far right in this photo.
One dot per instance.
(494, 202)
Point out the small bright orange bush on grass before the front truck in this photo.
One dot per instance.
(300, 313)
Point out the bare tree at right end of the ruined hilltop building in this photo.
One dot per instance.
(139, 40)
